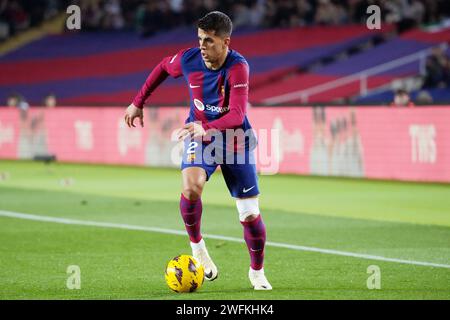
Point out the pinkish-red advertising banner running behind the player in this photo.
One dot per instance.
(374, 142)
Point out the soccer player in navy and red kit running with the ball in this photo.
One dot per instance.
(218, 80)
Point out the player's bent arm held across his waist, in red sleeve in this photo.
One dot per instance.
(239, 83)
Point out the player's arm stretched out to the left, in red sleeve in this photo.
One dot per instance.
(168, 66)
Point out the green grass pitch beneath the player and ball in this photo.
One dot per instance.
(402, 221)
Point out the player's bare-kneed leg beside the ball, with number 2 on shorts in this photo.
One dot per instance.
(194, 177)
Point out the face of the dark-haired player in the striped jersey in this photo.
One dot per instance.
(212, 47)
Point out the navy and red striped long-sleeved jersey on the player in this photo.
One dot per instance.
(218, 98)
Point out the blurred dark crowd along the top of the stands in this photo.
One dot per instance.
(150, 16)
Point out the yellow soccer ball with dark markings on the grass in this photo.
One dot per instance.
(184, 274)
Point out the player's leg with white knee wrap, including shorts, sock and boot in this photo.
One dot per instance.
(242, 182)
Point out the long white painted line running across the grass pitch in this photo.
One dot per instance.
(212, 236)
